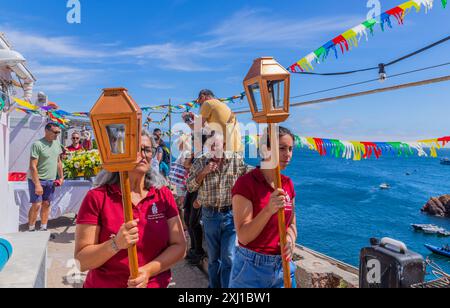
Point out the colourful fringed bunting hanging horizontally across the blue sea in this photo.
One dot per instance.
(359, 150)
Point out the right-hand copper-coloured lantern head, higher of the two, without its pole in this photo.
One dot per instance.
(267, 87)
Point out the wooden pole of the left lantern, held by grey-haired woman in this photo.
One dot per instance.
(128, 214)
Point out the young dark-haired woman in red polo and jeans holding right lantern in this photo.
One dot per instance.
(258, 260)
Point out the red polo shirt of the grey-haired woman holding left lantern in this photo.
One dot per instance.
(103, 207)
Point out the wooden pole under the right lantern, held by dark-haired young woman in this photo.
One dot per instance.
(275, 148)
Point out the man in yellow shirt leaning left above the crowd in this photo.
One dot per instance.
(217, 116)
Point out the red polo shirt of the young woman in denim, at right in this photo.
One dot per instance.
(254, 187)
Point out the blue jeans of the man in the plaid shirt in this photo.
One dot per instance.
(220, 235)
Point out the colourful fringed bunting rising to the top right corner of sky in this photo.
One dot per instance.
(352, 37)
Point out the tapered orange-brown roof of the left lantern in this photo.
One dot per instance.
(114, 101)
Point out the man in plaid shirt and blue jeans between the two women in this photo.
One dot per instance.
(214, 175)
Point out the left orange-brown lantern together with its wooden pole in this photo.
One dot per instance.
(117, 123)
